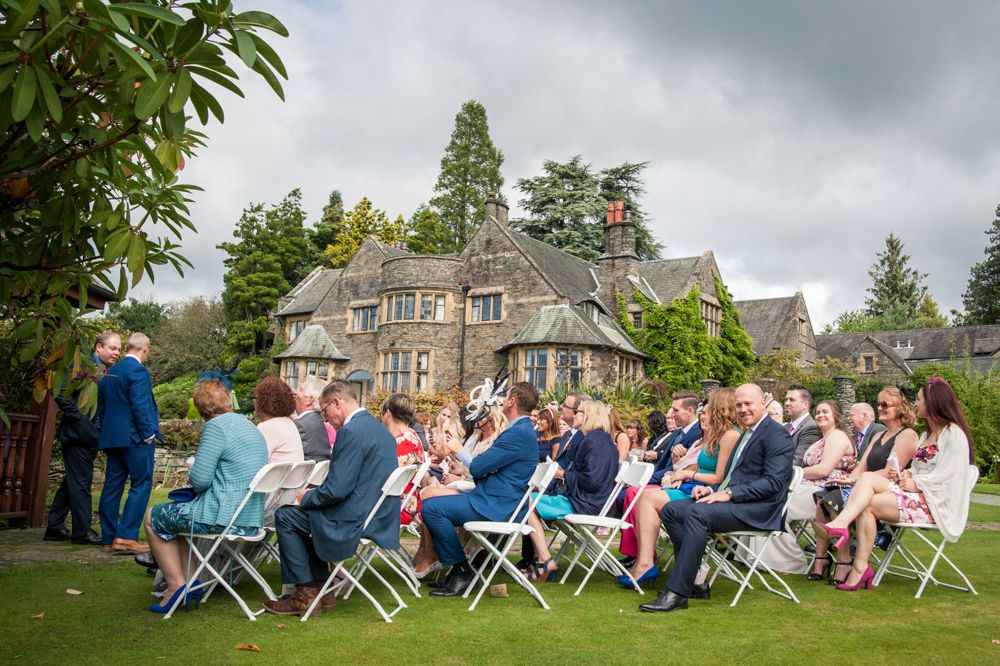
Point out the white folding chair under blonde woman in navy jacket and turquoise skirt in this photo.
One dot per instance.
(636, 475)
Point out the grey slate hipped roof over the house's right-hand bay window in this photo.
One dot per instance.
(570, 325)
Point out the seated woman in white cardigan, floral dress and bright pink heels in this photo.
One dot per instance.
(935, 489)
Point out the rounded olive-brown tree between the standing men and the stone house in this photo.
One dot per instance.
(192, 339)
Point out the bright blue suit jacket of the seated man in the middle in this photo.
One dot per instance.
(502, 471)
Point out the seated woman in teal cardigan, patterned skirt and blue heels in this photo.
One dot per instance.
(230, 454)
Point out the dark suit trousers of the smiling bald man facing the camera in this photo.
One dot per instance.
(689, 525)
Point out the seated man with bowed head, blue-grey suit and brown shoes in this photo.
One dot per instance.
(328, 521)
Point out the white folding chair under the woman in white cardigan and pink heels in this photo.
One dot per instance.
(915, 567)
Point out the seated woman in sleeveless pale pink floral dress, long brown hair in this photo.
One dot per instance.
(828, 461)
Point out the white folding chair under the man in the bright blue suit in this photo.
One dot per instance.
(482, 530)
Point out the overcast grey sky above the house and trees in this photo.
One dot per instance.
(788, 137)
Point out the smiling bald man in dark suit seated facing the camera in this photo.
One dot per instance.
(751, 496)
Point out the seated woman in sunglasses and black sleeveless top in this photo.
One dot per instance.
(897, 415)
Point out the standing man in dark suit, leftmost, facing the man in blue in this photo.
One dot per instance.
(79, 436)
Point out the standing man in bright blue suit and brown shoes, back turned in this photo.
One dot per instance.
(129, 428)
